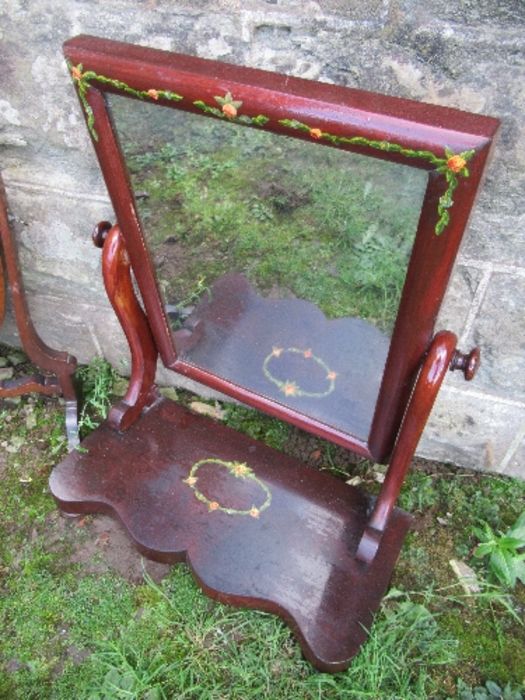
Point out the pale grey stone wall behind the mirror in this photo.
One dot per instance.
(465, 53)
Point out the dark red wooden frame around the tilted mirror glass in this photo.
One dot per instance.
(453, 146)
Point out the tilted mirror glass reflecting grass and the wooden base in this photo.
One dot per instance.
(280, 262)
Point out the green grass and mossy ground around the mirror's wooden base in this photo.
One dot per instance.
(70, 632)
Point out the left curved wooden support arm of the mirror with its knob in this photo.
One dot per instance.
(116, 271)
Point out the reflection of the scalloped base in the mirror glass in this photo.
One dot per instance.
(287, 351)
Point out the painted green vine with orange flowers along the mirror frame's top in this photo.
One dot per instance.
(452, 165)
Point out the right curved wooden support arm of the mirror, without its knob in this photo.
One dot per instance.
(433, 371)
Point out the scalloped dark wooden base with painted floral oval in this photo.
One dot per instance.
(257, 528)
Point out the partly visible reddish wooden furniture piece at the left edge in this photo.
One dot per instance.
(60, 364)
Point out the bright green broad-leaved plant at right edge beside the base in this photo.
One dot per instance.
(505, 551)
